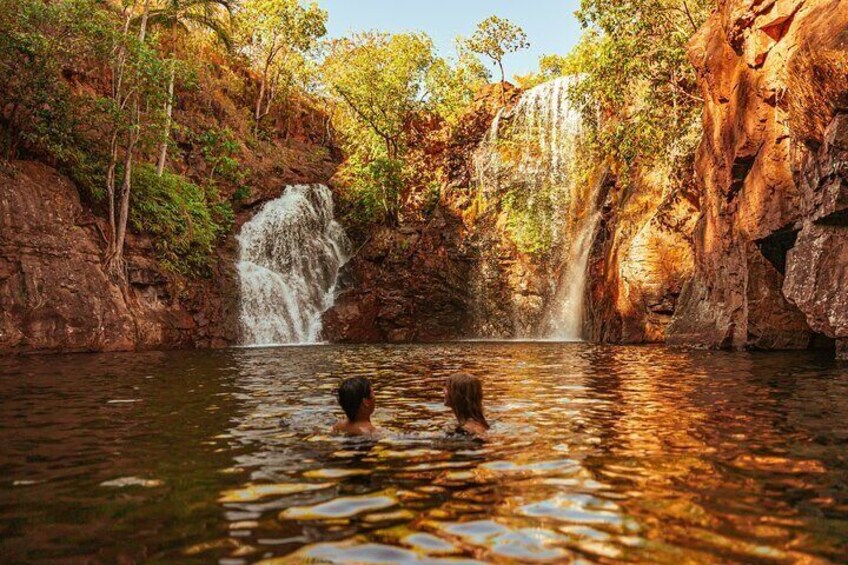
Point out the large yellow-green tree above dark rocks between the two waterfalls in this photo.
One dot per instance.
(380, 85)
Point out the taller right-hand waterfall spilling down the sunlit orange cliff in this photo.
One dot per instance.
(530, 149)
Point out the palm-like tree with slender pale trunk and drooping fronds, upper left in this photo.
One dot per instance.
(181, 17)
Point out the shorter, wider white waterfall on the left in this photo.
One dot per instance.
(289, 260)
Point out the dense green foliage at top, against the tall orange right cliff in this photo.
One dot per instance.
(637, 89)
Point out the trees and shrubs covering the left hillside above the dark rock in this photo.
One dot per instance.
(156, 108)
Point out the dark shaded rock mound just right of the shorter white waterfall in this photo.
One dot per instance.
(406, 285)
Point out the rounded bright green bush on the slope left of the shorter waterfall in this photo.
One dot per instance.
(184, 219)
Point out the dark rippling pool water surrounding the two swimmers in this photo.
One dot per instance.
(599, 454)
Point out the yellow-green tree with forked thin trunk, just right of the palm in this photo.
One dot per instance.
(276, 35)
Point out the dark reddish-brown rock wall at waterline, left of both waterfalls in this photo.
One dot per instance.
(55, 295)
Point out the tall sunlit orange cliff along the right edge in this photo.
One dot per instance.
(771, 244)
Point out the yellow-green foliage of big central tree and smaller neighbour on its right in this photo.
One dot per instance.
(384, 87)
